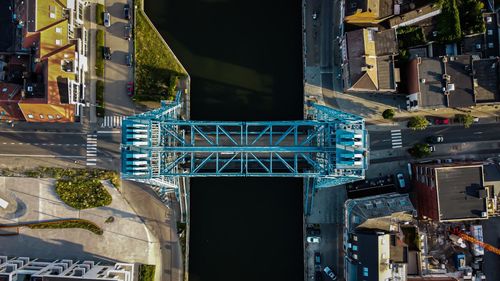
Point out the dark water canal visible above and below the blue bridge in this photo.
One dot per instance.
(245, 62)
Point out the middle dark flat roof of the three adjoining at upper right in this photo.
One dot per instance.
(459, 68)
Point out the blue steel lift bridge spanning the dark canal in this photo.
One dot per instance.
(328, 148)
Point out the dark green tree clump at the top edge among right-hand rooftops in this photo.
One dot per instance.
(448, 25)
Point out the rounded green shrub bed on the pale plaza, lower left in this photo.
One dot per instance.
(82, 193)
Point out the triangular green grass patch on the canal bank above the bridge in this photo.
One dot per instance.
(157, 69)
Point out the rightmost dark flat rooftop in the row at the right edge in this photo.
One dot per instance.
(486, 80)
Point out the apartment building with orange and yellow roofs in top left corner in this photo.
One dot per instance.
(51, 51)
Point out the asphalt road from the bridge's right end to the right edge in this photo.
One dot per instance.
(452, 134)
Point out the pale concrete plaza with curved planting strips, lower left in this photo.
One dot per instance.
(126, 239)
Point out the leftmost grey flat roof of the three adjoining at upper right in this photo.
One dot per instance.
(431, 86)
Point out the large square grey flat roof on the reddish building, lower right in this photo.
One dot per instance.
(458, 192)
